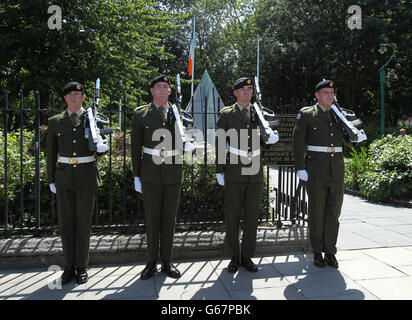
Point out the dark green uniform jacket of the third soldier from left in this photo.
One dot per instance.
(231, 118)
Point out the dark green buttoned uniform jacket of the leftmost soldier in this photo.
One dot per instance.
(67, 140)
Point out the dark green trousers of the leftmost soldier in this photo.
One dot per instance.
(74, 213)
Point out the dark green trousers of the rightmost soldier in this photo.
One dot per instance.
(325, 203)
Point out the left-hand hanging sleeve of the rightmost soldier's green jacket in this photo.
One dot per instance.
(299, 140)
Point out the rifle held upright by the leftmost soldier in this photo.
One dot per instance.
(96, 122)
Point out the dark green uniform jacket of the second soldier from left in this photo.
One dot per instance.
(147, 119)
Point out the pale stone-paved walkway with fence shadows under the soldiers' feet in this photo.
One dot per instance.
(375, 262)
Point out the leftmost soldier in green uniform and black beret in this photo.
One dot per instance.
(73, 176)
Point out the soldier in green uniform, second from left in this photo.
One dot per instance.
(157, 168)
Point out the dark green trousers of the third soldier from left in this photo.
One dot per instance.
(242, 198)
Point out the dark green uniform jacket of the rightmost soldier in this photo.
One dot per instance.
(317, 128)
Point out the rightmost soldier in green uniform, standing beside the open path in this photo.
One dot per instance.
(318, 150)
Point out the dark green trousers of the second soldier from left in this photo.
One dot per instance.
(161, 202)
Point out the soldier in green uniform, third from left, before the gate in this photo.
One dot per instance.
(242, 181)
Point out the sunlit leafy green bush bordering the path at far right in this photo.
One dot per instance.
(386, 173)
